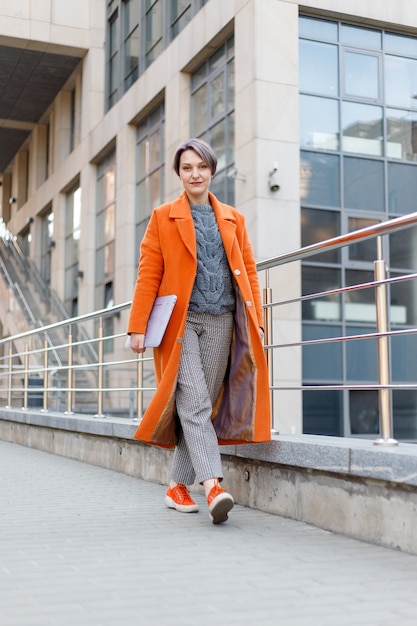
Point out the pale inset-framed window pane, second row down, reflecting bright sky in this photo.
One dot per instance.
(361, 75)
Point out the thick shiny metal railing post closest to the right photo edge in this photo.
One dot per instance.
(384, 395)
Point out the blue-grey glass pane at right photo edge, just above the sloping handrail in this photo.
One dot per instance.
(402, 188)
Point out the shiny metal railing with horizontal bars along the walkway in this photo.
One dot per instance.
(121, 383)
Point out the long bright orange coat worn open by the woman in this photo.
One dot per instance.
(168, 263)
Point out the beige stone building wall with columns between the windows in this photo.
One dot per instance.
(266, 127)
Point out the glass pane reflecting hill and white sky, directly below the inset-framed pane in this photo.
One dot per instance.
(362, 128)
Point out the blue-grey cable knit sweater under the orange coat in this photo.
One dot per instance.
(213, 288)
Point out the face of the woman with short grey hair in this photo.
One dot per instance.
(195, 176)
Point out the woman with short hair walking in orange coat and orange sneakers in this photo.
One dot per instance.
(212, 383)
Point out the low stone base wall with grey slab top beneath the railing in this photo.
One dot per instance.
(347, 486)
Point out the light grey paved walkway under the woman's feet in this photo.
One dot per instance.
(81, 545)
